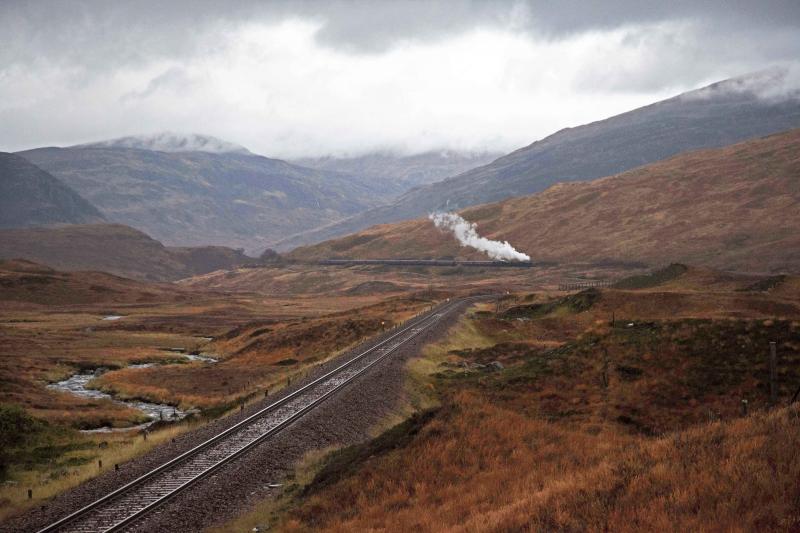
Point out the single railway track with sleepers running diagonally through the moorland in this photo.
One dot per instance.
(124, 506)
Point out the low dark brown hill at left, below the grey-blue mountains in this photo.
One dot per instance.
(114, 248)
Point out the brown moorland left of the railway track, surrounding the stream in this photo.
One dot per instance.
(60, 327)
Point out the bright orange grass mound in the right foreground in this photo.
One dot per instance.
(480, 467)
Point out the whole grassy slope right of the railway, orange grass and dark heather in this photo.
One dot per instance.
(623, 428)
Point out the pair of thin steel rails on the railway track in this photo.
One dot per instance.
(425, 320)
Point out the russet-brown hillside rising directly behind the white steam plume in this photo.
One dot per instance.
(736, 208)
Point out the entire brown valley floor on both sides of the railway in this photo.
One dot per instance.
(617, 408)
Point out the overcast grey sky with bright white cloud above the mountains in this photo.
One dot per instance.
(290, 79)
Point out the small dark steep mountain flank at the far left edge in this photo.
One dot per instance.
(29, 196)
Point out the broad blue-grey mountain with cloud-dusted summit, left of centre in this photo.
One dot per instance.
(187, 198)
